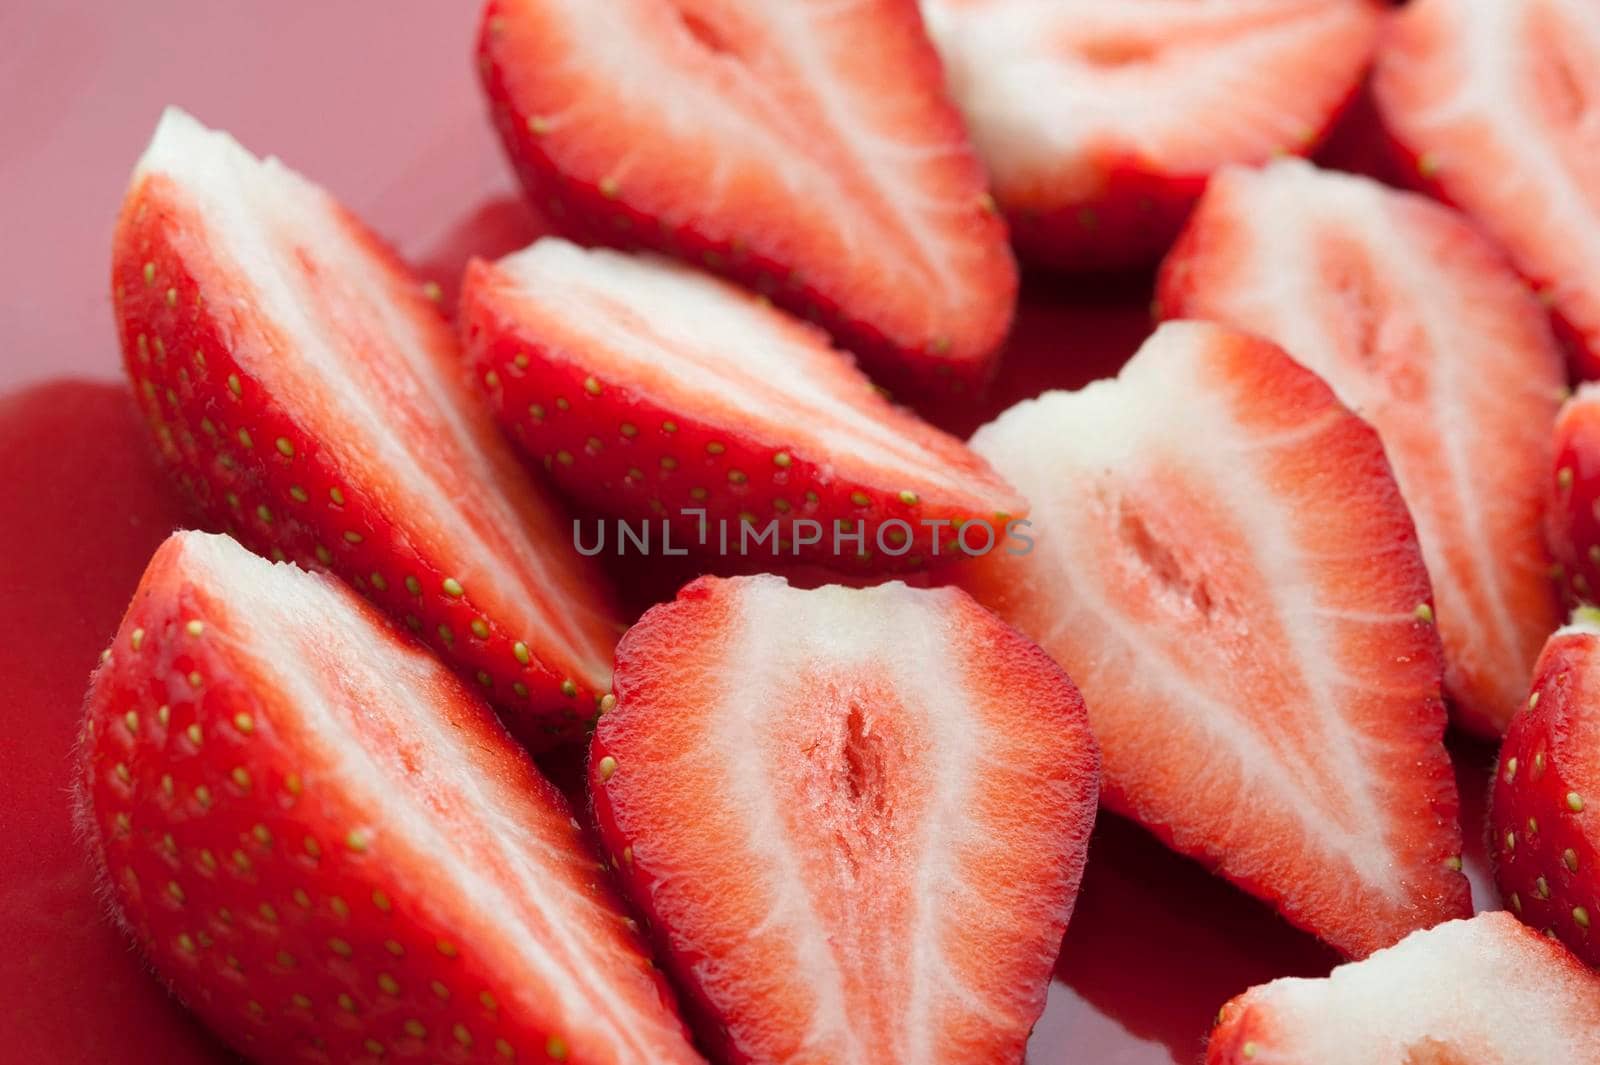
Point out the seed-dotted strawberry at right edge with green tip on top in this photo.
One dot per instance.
(1545, 808)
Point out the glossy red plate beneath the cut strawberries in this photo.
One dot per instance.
(383, 108)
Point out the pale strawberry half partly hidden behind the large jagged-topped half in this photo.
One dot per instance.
(1420, 325)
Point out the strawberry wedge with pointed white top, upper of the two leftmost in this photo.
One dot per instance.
(313, 402)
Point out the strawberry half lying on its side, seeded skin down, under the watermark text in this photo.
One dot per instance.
(654, 391)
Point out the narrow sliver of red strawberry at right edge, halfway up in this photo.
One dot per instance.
(1574, 495)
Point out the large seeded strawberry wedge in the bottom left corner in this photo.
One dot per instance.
(330, 848)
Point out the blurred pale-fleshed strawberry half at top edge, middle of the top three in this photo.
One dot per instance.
(1102, 119)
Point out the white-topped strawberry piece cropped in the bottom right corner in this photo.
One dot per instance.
(1481, 992)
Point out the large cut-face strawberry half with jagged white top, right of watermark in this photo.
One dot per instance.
(1225, 565)
